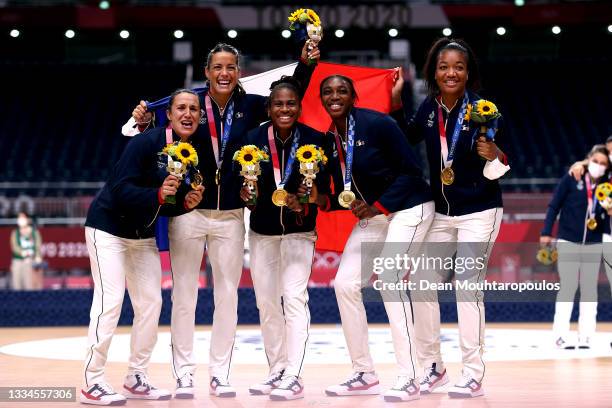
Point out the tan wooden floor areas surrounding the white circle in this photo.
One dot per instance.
(581, 383)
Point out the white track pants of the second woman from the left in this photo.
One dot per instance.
(222, 232)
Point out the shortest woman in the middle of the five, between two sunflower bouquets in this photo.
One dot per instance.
(282, 234)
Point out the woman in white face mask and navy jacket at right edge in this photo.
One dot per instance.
(582, 224)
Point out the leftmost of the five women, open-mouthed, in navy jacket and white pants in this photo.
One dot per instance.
(120, 240)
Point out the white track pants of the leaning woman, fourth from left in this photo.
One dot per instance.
(408, 227)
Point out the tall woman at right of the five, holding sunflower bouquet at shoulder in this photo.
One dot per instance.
(464, 165)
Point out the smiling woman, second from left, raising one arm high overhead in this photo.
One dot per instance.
(229, 113)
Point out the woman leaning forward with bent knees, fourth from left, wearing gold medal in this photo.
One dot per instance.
(379, 180)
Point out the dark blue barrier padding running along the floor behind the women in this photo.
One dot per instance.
(71, 308)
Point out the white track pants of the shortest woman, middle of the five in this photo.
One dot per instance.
(281, 267)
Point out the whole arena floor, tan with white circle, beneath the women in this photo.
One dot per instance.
(523, 369)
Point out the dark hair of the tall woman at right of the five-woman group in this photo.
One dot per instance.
(443, 44)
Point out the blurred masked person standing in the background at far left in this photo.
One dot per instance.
(25, 249)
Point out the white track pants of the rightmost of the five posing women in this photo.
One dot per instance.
(480, 231)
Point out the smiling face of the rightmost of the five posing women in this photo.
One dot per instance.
(451, 72)
